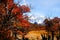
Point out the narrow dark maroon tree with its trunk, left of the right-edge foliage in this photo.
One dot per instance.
(49, 25)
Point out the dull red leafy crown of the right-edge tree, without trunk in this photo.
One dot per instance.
(56, 23)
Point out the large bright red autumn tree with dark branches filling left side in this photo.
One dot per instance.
(11, 15)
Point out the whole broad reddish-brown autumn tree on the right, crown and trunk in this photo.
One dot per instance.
(52, 25)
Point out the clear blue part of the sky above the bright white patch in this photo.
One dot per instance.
(49, 8)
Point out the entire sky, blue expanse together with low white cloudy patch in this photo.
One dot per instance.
(43, 8)
